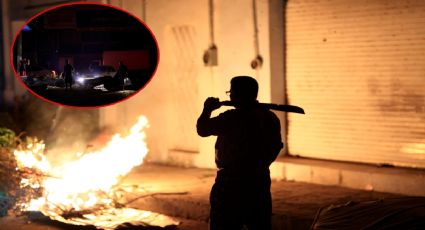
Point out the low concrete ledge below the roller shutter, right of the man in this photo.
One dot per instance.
(406, 181)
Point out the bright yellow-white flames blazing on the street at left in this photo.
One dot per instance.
(86, 185)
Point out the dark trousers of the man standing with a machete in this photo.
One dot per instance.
(235, 202)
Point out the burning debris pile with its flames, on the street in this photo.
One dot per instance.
(85, 191)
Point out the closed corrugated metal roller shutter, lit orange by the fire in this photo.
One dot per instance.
(357, 67)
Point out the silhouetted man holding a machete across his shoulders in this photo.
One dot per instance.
(248, 141)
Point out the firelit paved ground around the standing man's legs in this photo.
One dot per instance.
(183, 193)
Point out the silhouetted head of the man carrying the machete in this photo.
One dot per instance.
(243, 90)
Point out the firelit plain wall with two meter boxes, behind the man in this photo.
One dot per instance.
(182, 82)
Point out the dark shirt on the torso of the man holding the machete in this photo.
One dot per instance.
(248, 139)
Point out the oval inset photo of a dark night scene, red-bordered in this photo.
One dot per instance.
(84, 55)
